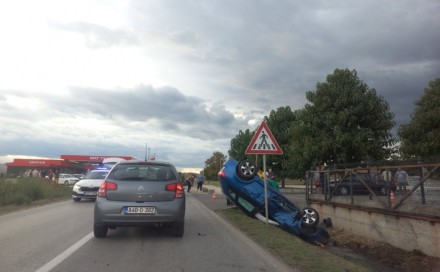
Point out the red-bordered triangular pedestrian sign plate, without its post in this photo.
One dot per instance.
(263, 142)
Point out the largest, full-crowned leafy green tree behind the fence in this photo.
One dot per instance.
(344, 122)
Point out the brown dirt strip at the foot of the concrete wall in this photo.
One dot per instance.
(379, 256)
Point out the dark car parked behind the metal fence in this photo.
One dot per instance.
(356, 184)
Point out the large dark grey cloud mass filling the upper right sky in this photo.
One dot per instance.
(276, 52)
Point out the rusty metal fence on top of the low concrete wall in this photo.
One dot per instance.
(421, 197)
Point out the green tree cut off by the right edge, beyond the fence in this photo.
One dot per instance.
(421, 137)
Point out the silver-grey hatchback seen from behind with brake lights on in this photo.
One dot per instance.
(140, 193)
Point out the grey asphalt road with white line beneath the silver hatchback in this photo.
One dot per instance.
(58, 237)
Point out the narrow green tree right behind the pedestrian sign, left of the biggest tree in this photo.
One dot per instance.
(280, 122)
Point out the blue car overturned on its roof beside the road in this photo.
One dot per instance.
(245, 189)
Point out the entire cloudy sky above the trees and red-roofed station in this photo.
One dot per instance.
(102, 77)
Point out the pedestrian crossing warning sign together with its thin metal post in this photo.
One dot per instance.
(264, 143)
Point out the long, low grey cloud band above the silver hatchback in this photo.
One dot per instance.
(173, 110)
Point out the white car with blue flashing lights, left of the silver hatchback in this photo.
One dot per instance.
(87, 188)
